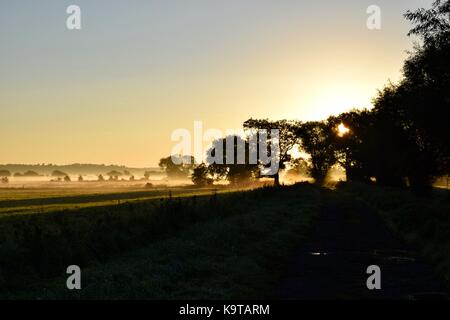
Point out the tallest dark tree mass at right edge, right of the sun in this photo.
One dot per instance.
(413, 133)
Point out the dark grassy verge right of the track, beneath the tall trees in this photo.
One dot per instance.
(422, 222)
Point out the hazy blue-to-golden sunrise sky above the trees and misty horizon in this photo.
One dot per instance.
(114, 91)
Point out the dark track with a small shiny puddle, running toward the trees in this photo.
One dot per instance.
(347, 239)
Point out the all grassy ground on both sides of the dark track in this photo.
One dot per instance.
(213, 243)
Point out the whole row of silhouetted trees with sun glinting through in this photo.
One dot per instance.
(403, 140)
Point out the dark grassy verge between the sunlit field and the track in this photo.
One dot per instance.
(216, 247)
